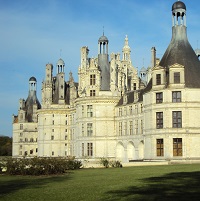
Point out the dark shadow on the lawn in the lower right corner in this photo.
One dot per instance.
(182, 186)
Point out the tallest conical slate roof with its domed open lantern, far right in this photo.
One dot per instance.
(179, 49)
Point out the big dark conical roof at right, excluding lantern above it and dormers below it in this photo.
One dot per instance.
(180, 51)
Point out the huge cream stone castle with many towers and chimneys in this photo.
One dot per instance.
(112, 111)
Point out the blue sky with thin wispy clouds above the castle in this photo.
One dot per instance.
(36, 32)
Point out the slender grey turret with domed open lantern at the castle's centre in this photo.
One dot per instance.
(103, 62)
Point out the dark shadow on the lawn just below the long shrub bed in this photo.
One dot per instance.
(10, 184)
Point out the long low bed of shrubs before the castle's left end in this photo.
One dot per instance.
(41, 166)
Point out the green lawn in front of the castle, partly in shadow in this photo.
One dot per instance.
(159, 183)
